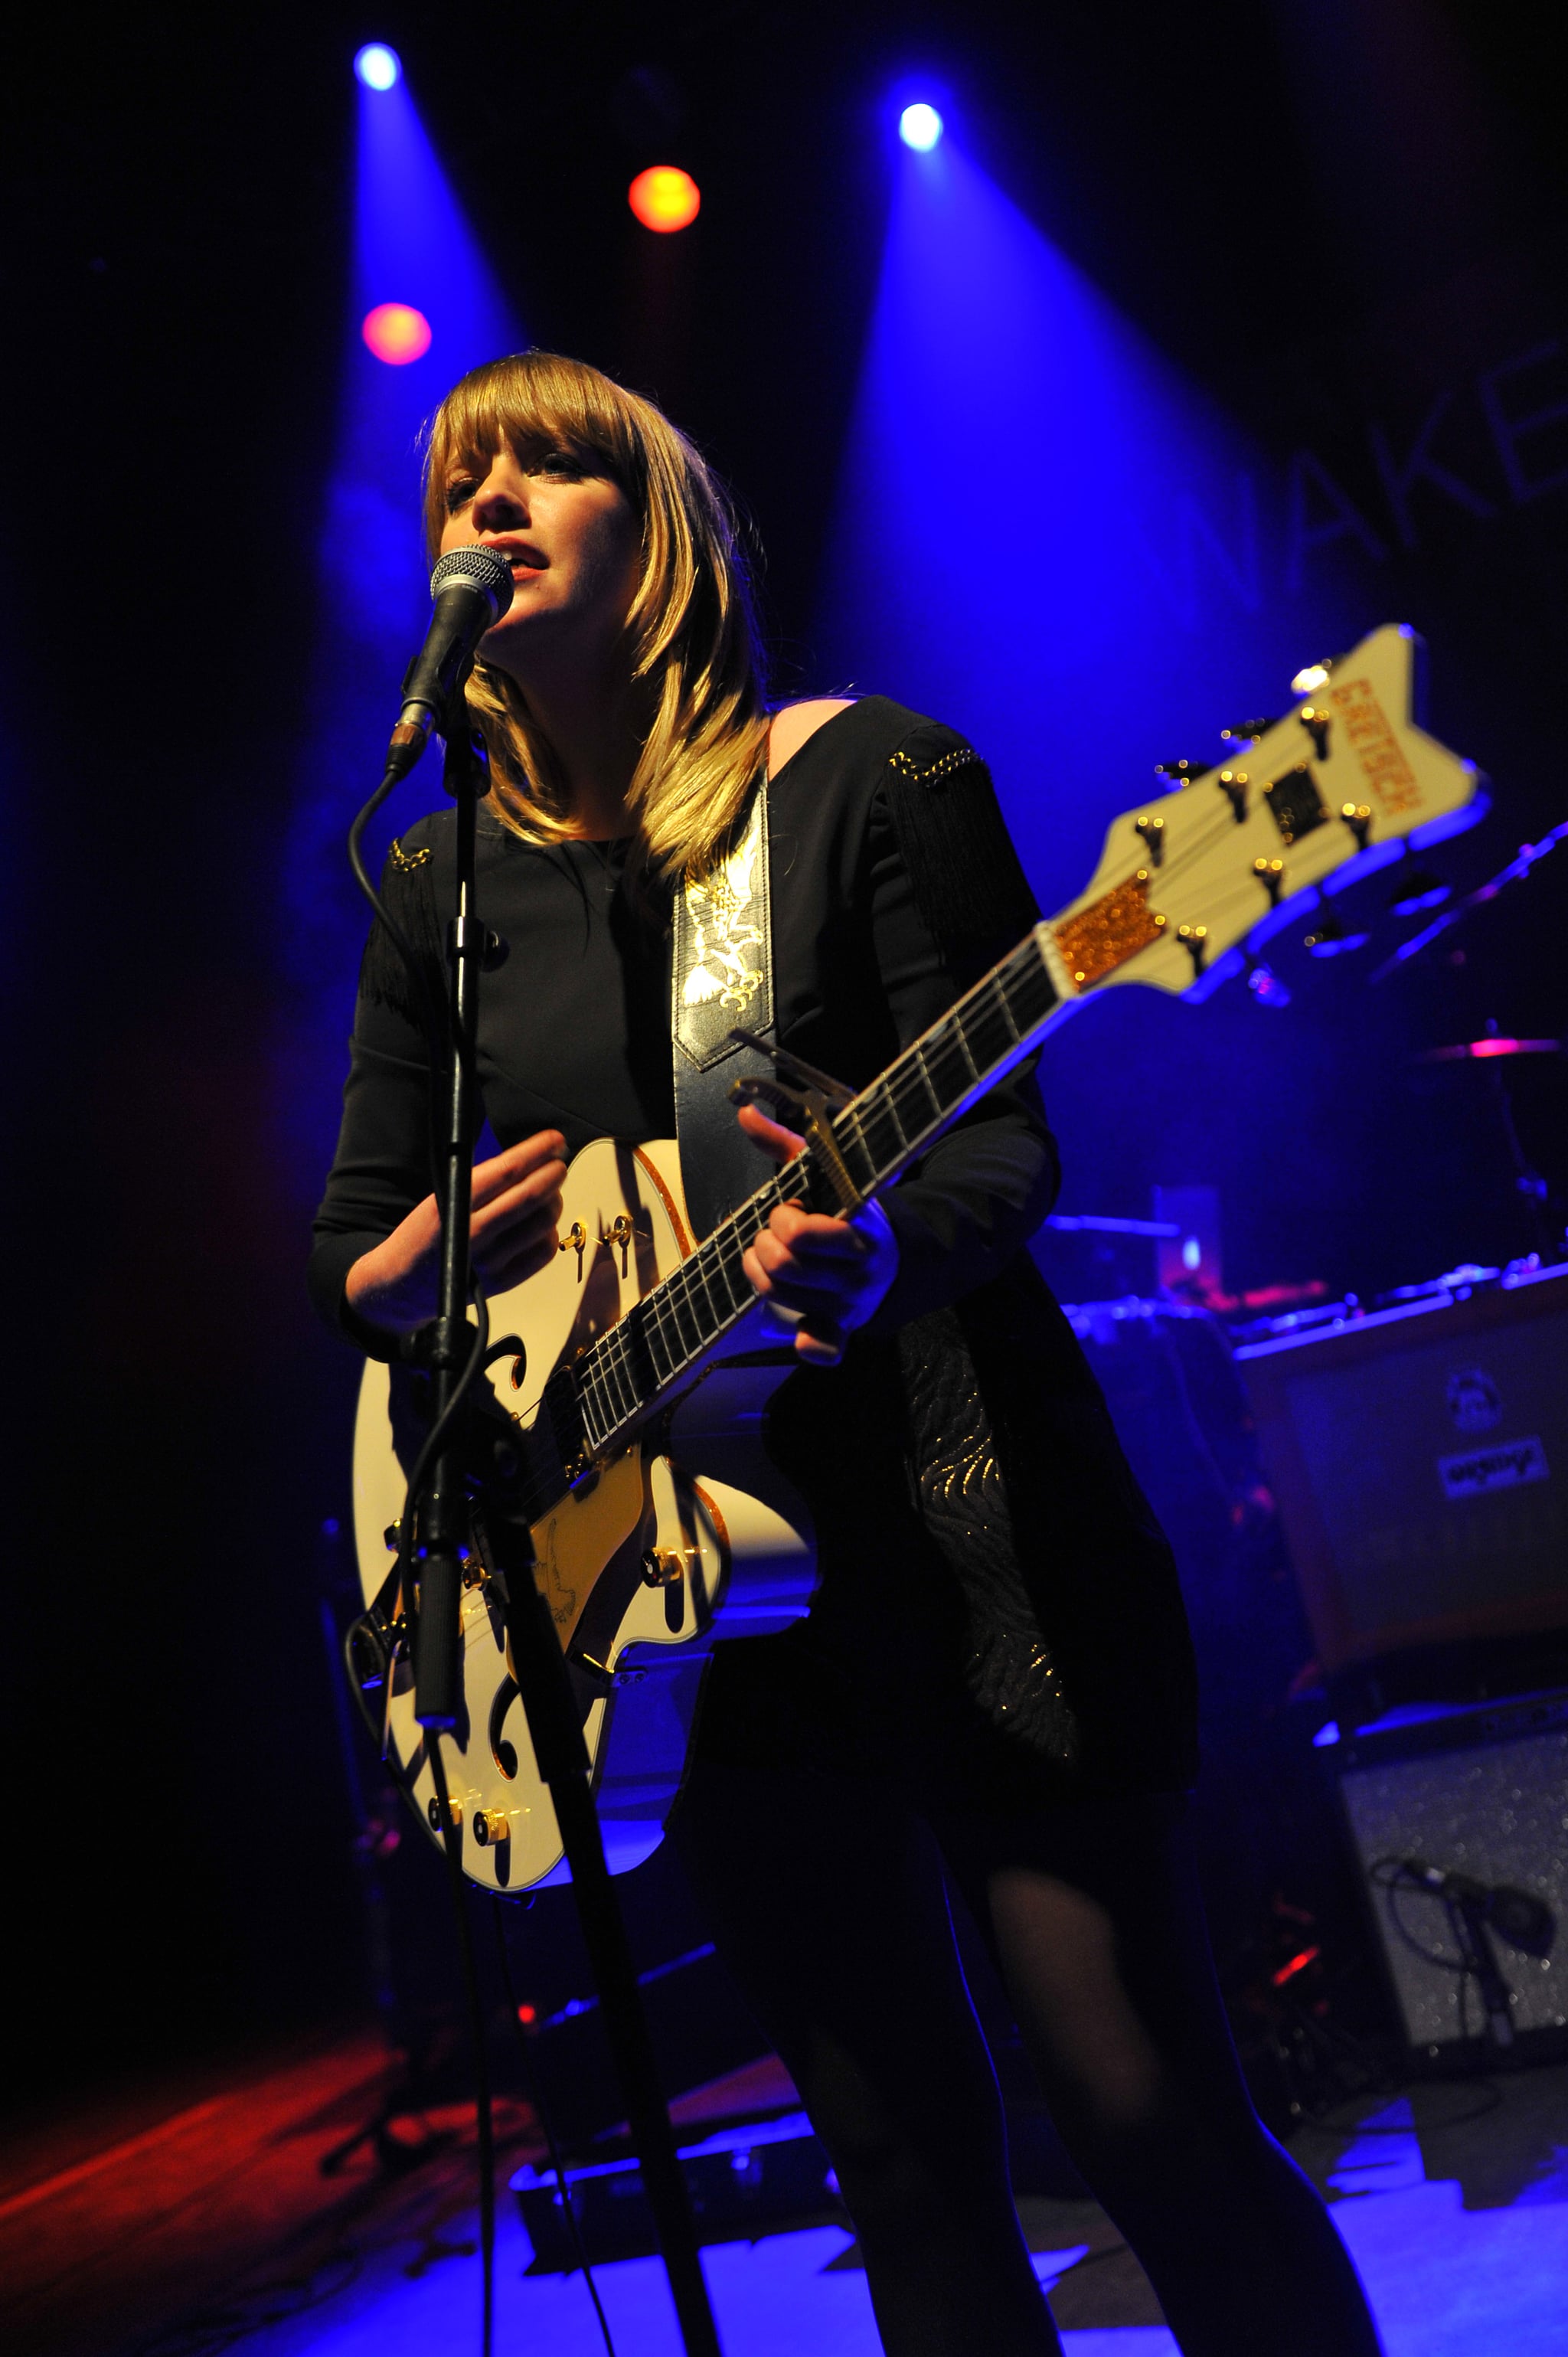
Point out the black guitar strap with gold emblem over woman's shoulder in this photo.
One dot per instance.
(723, 975)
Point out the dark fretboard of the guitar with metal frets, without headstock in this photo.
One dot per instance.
(933, 1083)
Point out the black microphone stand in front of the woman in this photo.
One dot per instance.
(543, 1679)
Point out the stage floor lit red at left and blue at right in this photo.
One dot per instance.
(218, 2231)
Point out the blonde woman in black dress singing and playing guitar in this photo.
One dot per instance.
(996, 1675)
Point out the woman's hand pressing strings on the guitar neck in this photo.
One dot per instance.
(819, 1276)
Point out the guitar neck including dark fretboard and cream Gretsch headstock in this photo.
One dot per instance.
(1187, 880)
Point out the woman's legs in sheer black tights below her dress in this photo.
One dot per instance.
(829, 1906)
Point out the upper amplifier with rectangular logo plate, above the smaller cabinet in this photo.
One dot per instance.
(1418, 1458)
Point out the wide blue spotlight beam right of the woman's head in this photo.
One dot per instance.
(1043, 532)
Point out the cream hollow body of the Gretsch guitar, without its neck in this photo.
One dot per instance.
(635, 1557)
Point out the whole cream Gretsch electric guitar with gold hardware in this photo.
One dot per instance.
(631, 1425)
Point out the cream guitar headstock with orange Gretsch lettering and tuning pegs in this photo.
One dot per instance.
(1312, 803)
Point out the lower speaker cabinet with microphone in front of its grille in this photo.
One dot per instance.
(1477, 1792)
